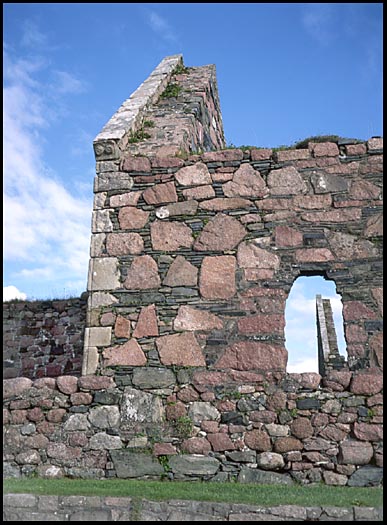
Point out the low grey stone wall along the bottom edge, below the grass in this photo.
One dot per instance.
(28, 507)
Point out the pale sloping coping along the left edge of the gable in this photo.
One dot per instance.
(119, 124)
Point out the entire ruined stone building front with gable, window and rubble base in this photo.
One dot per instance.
(193, 256)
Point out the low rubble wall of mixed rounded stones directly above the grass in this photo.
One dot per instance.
(159, 424)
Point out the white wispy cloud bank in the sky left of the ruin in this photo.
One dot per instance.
(46, 228)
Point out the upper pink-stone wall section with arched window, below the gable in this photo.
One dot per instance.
(193, 260)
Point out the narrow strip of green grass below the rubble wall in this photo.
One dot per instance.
(248, 493)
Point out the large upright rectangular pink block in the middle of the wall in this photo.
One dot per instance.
(217, 277)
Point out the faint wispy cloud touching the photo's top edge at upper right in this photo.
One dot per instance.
(317, 20)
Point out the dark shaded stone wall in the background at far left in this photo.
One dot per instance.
(43, 338)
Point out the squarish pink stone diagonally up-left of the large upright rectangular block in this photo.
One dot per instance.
(170, 236)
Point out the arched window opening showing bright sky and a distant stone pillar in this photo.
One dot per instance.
(301, 322)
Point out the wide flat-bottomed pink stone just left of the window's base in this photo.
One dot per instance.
(253, 355)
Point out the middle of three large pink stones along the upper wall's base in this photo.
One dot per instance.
(180, 349)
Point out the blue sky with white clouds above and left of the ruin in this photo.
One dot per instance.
(285, 72)
